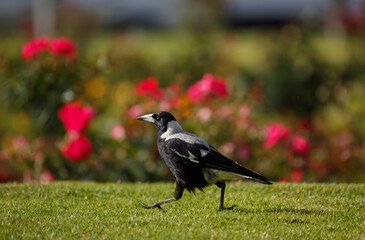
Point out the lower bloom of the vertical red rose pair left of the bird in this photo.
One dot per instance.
(77, 149)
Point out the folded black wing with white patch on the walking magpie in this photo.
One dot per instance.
(207, 156)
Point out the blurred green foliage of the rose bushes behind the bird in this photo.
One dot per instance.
(288, 76)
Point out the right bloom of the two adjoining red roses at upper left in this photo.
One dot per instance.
(63, 47)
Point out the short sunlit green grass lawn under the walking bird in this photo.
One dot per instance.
(73, 210)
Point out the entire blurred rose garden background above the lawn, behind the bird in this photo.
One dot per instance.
(276, 85)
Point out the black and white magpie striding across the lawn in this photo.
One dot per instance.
(194, 163)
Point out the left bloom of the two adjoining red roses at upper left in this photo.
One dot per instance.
(34, 47)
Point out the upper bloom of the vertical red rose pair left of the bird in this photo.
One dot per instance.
(75, 117)
